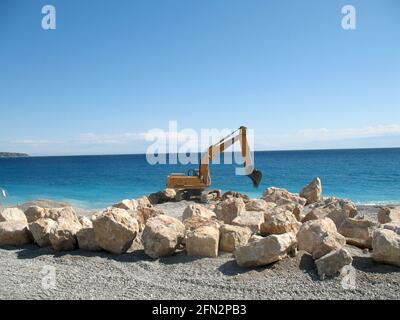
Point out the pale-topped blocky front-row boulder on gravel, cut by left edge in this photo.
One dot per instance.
(14, 233)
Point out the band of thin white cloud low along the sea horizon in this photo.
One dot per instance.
(137, 142)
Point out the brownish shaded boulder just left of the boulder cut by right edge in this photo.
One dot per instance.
(358, 232)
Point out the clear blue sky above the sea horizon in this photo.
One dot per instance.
(112, 70)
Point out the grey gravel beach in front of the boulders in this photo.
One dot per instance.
(87, 275)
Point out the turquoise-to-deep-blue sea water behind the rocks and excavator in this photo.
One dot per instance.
(368, 176)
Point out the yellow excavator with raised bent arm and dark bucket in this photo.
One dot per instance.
(199, 180)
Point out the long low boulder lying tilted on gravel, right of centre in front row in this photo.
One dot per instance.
(263, 251)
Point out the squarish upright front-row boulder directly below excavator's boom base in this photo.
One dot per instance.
(203, 242)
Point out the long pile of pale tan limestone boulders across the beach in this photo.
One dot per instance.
(257, 232)
